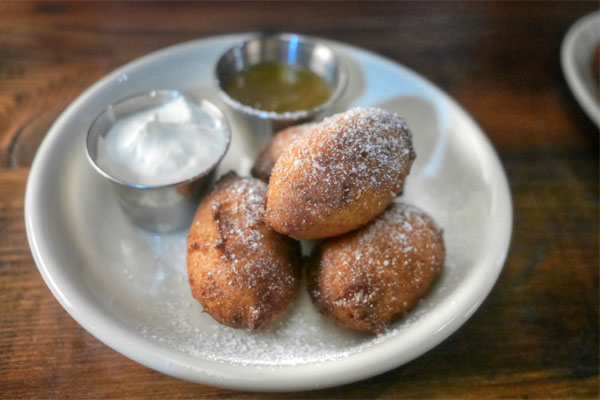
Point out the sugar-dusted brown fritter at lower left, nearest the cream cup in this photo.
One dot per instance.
(242, 272)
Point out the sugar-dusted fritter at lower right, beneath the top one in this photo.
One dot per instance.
(368, 278)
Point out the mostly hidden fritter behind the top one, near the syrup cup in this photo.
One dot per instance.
(275, 148)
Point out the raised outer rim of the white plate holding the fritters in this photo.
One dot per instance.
(284, 378)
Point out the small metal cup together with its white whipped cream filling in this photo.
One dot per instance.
(158, 151)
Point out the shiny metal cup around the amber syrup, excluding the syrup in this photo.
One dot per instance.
(285, 48)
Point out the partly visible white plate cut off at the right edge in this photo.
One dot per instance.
(576, 56)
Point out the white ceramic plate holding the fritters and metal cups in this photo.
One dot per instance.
(129, 287)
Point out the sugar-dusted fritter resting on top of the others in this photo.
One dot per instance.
(340, 175)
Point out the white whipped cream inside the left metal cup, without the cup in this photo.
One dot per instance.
(170, 143)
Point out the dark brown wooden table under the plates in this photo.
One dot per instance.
(536, 335)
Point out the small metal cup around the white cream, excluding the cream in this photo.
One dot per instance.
(161, 208)
